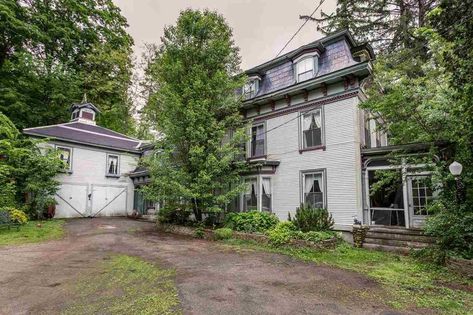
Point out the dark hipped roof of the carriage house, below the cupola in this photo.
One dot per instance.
(86, 134)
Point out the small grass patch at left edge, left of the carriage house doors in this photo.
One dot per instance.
(32, 233)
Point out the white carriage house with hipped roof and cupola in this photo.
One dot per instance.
(96, 181)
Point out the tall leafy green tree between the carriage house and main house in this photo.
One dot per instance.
(195, 108)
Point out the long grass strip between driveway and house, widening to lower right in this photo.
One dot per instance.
(408, 283)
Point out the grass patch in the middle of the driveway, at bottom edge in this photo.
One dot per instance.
(126, 285)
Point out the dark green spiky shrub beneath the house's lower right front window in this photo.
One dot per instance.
(308, 219)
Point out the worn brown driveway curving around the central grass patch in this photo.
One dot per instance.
(211, 278)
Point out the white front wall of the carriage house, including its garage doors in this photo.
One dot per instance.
(110, 196)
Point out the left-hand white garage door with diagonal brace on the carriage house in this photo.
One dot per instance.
(72, 201)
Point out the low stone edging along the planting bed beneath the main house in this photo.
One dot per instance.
(260, 238)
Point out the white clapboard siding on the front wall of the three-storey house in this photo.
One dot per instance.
(341, 160)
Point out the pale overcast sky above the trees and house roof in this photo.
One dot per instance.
(260, 27)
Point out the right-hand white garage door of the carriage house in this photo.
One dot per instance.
(108, 200)
